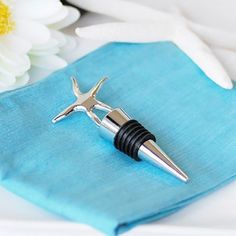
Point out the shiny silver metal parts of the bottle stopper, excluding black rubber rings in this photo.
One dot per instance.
(111, 124)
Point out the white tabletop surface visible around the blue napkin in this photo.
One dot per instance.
(213, 215)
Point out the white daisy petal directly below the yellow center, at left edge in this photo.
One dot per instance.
(16, 43)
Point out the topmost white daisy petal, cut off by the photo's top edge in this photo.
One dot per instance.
(36, 9)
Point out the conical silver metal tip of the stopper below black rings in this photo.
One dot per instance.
(153, 154)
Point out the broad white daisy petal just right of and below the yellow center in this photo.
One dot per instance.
(32, 31)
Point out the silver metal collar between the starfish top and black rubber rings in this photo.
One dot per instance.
(112, 122)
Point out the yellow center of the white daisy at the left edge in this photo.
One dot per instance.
(6, 22)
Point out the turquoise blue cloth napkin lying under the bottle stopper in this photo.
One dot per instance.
(67, 168)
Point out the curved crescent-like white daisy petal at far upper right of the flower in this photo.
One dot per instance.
(72, 16)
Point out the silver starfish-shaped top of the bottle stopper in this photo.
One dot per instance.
(85, 102)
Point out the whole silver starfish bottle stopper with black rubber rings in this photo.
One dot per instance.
(126, 134)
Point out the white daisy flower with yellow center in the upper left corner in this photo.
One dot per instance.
(29, 37)
